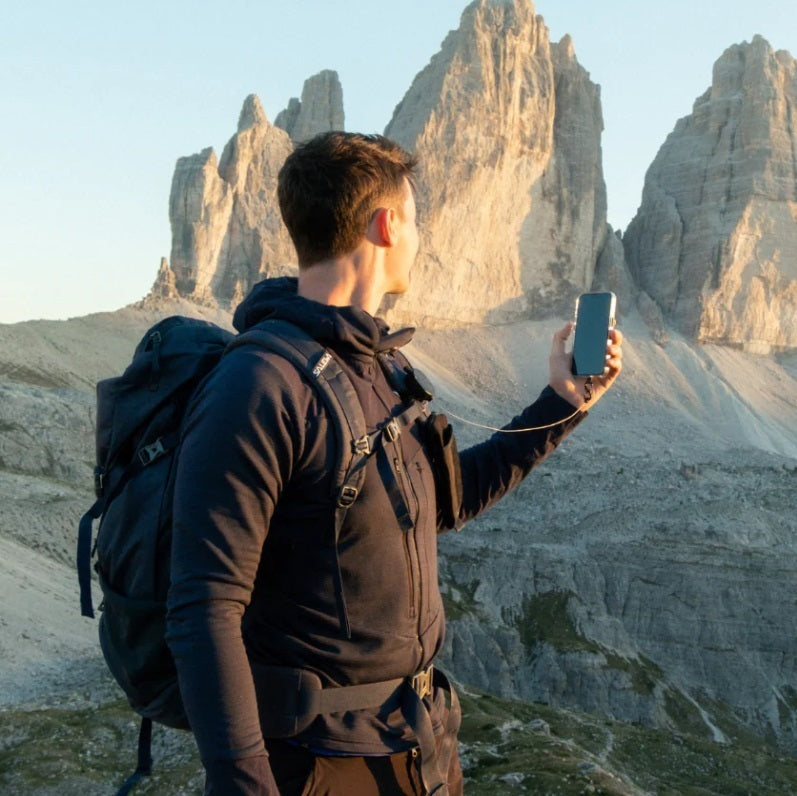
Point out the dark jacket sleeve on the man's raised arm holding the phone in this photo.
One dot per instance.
(494, 467)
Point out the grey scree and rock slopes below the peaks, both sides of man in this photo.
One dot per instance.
(643, 572)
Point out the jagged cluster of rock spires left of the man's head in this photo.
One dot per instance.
(227, 232)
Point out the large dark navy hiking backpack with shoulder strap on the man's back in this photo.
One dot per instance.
(139, 416)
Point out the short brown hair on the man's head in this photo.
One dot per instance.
(330, 186)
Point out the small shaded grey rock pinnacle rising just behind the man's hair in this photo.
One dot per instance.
(320, 108)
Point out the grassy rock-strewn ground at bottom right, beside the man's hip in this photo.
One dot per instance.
(510, 745)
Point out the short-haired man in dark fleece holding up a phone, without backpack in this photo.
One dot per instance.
(263, 583)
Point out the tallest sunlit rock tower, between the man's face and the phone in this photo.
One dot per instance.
(511, 194)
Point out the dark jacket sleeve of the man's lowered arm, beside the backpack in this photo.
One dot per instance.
(237, 452)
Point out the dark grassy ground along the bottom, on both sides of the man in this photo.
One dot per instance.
(506, 747)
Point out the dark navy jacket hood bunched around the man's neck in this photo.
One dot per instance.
(348, 328)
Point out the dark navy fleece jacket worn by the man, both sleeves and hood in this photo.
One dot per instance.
(252, 557)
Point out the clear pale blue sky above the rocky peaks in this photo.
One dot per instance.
(100, 97)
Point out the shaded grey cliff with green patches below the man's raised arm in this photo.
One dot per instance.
(671, 622)
